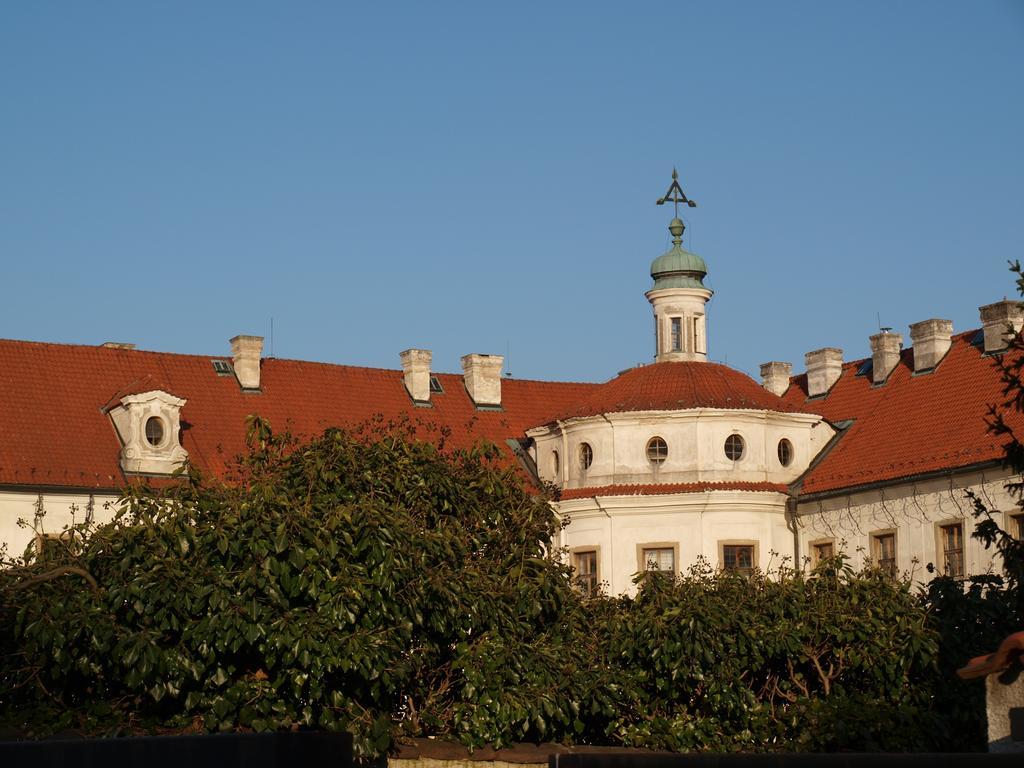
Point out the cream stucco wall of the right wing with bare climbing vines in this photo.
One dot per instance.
(916, 510)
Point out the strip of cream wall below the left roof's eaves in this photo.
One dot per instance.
(62, 510)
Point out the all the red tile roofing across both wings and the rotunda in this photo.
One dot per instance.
(54, 431)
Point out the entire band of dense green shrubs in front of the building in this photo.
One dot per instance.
(386, 585)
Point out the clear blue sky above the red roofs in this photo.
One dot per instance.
(480, 177)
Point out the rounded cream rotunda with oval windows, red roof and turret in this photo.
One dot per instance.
(680, 461)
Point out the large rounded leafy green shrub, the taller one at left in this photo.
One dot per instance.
(363, 581)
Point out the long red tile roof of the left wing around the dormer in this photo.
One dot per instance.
(54, 431)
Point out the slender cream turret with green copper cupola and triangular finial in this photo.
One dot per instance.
(679, 296)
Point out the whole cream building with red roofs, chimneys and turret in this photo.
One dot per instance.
(679, 462)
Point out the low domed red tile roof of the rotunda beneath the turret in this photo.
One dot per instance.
(672, 387)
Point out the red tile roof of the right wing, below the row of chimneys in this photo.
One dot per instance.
(910, 425)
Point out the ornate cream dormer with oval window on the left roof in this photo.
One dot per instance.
(148, 424)
